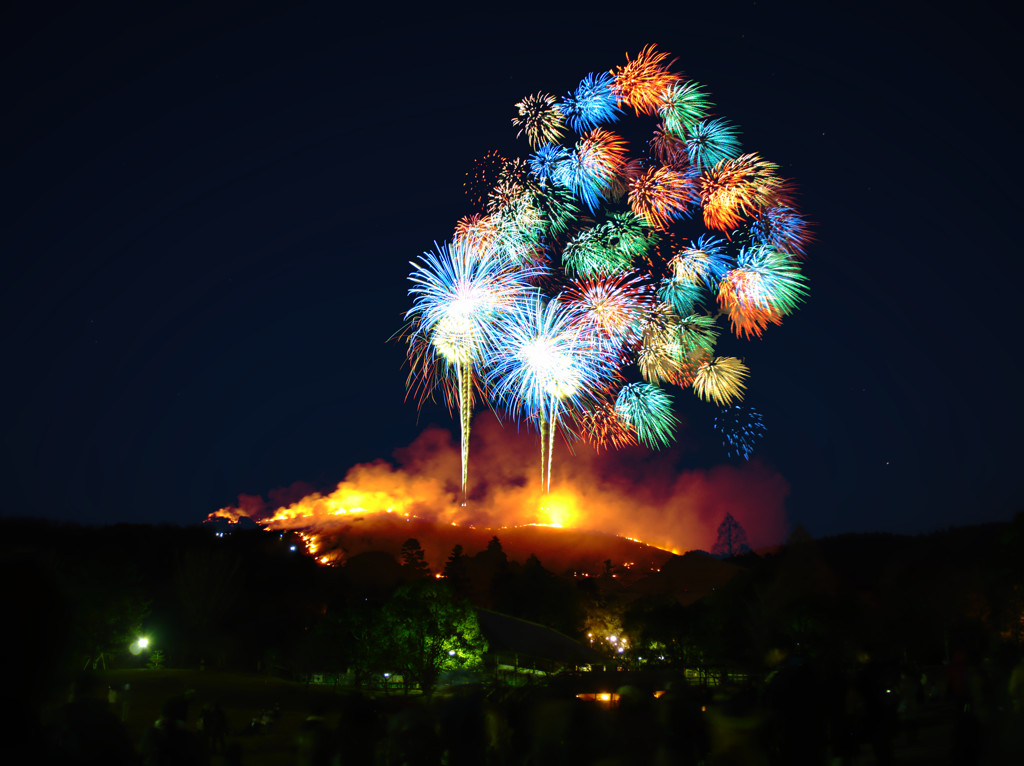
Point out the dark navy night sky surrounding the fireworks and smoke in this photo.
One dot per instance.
(208, 217)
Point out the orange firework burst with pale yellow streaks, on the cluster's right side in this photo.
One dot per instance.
(738, 189)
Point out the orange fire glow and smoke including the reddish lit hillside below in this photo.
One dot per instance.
(654, 505)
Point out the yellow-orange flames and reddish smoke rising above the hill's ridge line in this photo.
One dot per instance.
(644, 498)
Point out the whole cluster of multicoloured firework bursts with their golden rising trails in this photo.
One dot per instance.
(590, 281)
